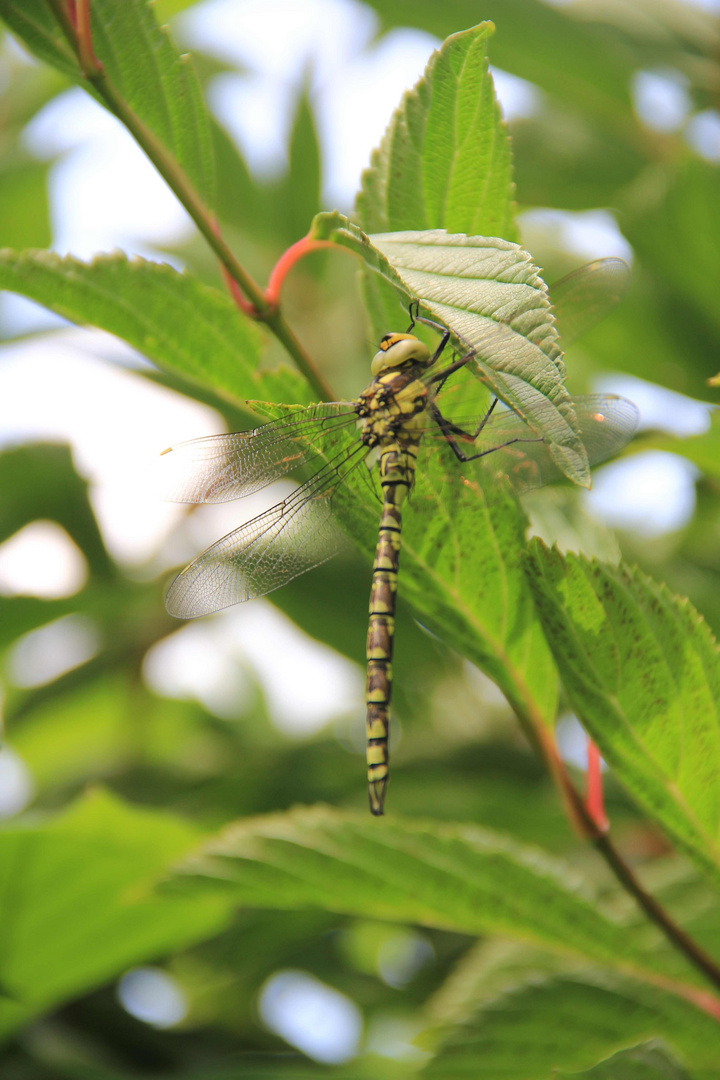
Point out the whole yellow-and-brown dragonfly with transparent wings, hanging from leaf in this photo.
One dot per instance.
(390, 421)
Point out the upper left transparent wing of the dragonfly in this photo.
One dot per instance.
(221, 468)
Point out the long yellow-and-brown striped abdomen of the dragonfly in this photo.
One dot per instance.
(397, 471)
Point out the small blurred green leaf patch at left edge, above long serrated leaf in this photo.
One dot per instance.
(24, 222)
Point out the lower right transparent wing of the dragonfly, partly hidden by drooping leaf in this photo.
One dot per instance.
(607, 424)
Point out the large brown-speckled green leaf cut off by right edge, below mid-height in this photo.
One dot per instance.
(643, 672)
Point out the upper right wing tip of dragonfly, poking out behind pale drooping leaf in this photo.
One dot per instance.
(586, 296)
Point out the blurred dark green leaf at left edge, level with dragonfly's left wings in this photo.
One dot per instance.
(40, 482)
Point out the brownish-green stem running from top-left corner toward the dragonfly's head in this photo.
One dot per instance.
(78, 35)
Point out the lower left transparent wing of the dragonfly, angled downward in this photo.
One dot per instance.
(270, 550)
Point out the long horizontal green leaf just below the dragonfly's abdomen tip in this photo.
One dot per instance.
(455, 877)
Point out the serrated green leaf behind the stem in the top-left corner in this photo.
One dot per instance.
(139, 59)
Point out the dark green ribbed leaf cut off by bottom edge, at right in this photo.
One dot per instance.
(570, 1024)
